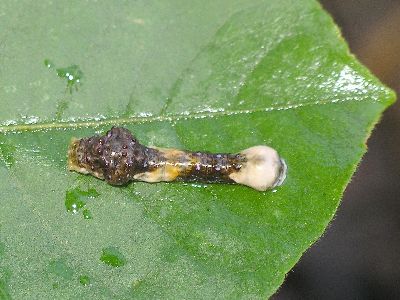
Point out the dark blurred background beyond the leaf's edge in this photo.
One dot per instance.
(359, 255)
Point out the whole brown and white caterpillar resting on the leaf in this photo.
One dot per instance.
(118, 158)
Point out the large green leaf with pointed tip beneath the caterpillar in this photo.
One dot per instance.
(198, 75)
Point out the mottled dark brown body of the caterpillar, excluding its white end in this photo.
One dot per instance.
(118, 158)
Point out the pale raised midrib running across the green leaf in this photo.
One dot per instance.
(94, 122)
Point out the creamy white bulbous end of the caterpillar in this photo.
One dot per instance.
(264, 168)
